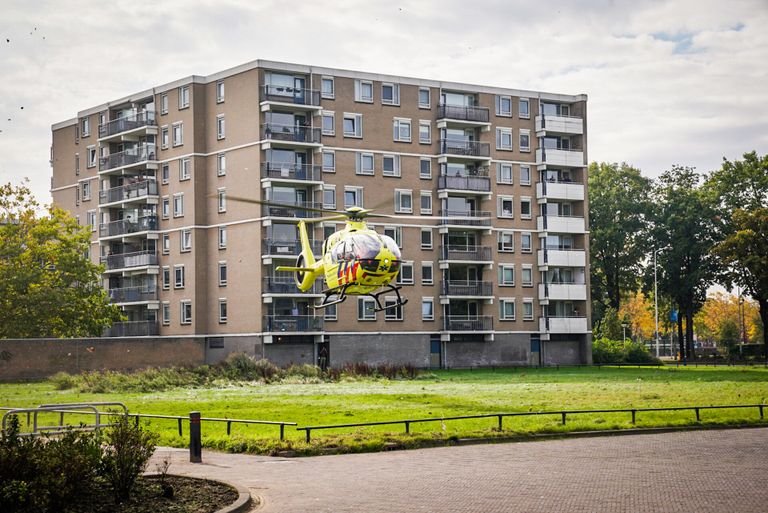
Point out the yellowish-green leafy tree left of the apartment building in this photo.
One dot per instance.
(48, 285)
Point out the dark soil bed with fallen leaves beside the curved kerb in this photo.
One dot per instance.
(189, 496)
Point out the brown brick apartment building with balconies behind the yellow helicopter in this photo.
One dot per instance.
(495, 274)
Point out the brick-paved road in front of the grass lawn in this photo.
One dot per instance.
(698, 471)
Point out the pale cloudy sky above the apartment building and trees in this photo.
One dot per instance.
(680, 82)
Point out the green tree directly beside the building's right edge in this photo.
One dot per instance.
(618, 209)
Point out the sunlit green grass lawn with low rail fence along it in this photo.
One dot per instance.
(441, 394)
